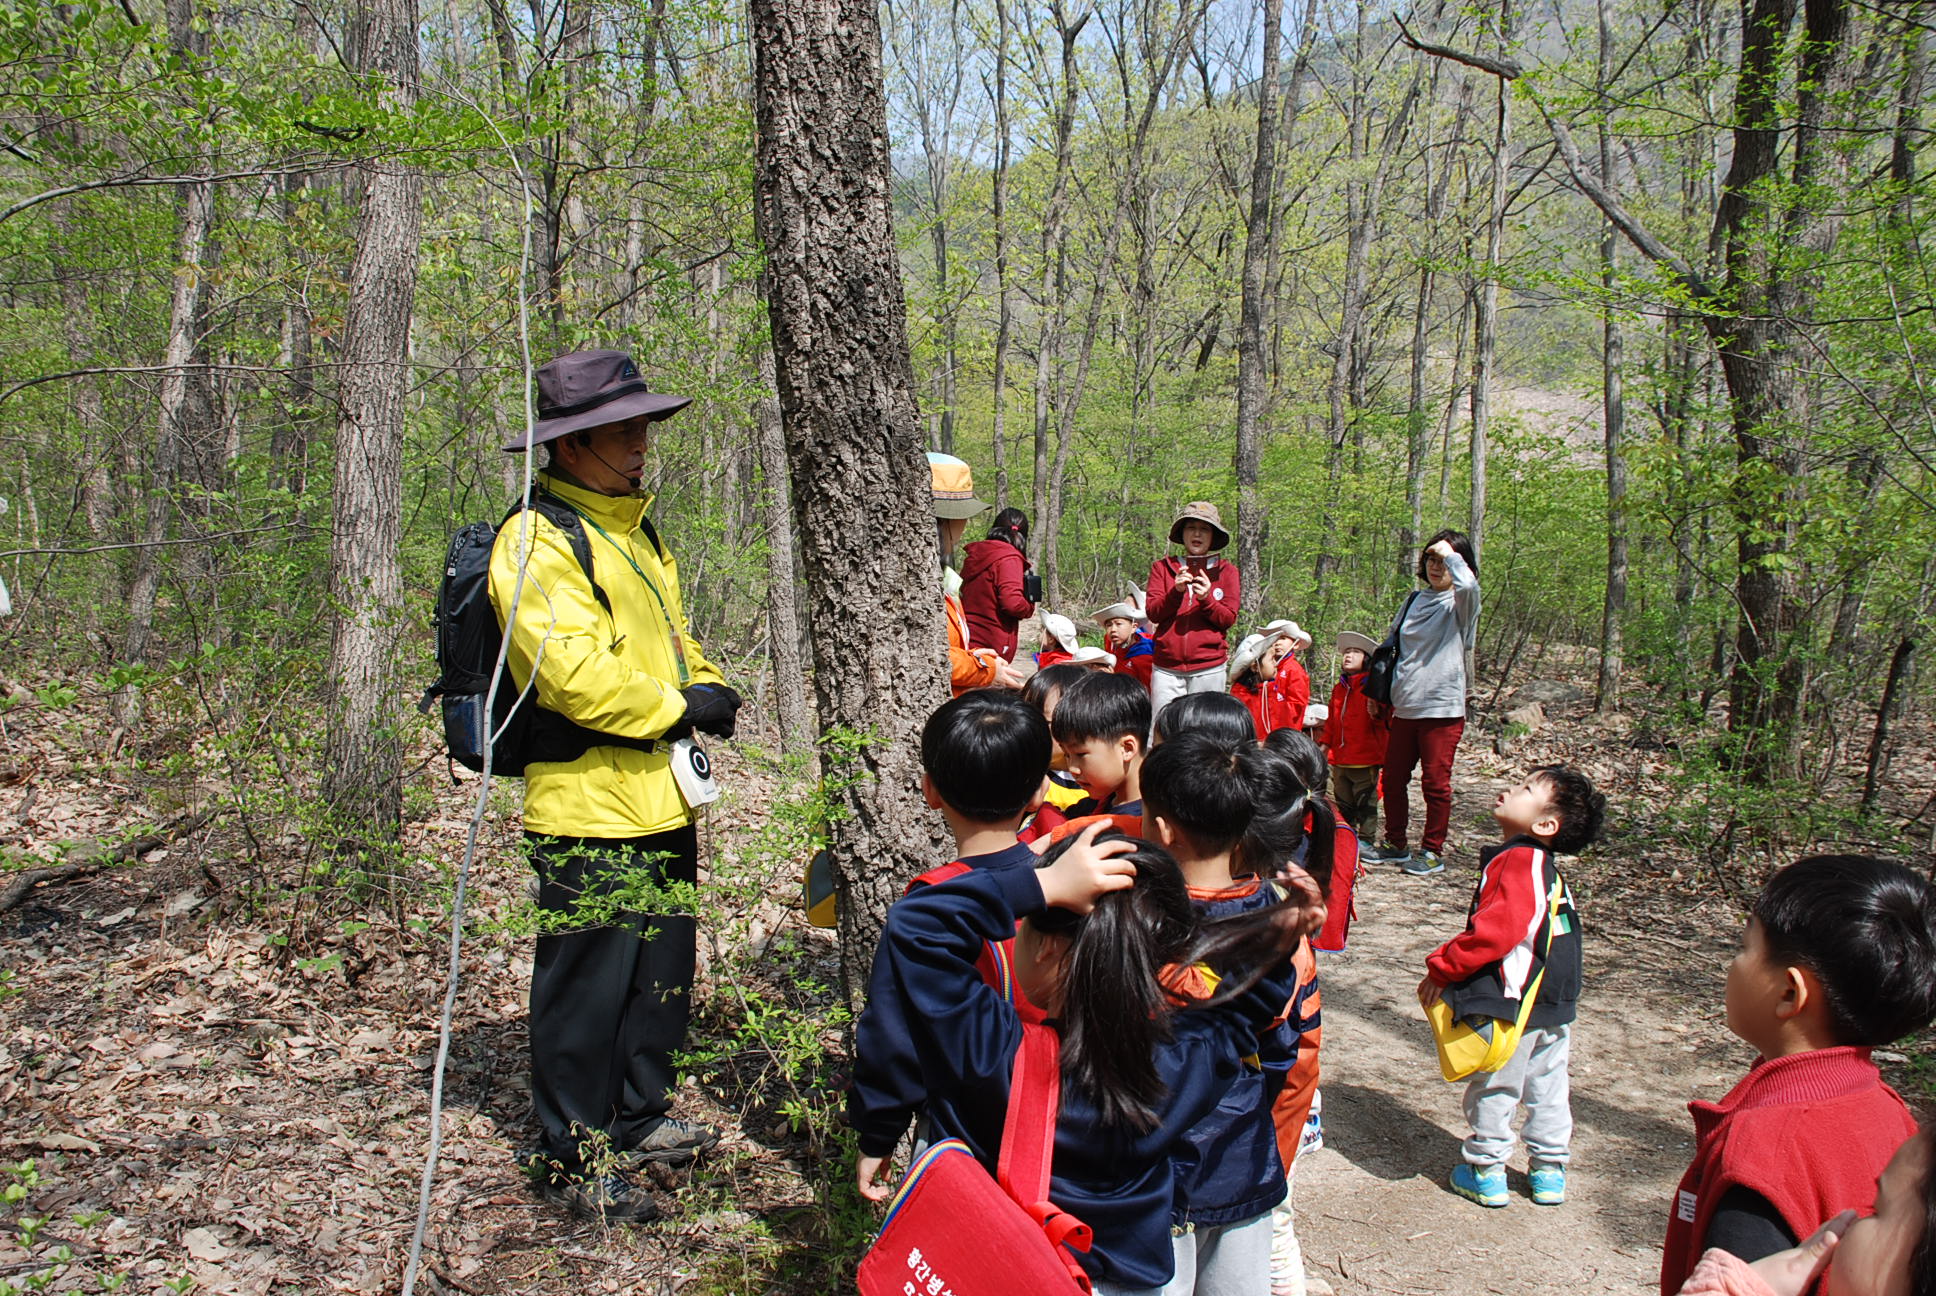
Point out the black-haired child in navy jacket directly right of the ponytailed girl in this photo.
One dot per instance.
(1199, 793)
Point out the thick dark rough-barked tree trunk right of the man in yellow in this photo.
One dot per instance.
(853, 439)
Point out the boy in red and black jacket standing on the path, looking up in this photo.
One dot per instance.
(1517, 933)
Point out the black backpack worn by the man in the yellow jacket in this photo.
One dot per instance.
(469, 640)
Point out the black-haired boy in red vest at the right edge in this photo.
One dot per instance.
(1840, 958)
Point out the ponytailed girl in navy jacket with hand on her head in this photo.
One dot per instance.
(1139, 1070)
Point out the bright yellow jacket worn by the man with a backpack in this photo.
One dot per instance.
(619, 673)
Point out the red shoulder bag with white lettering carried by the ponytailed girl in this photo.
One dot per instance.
(953, 1229)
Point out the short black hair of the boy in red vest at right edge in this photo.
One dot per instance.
(1867, 931)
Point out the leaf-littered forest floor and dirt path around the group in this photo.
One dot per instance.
(222, 1080)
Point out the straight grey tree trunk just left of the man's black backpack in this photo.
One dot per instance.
(363, 755)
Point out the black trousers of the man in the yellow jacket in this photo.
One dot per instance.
(611, 997)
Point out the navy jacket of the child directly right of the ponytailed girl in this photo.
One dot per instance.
(1230, 1169)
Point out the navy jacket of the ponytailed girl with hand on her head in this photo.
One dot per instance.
(1116, 1181)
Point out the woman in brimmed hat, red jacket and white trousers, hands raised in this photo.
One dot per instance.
(1194, 603)
